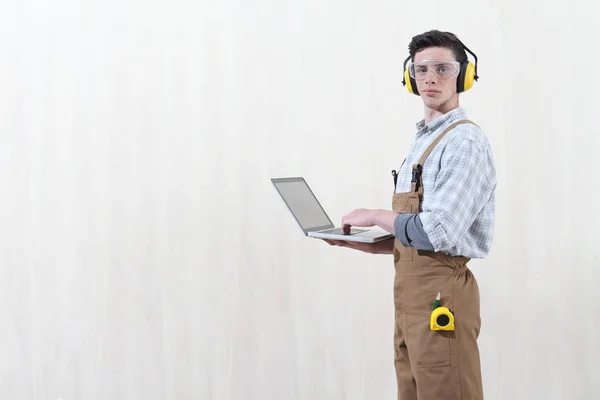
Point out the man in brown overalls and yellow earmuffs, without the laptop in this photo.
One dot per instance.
(442, 216)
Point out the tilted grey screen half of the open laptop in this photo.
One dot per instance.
(302, 203)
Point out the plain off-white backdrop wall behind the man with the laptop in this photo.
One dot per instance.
(144, 253)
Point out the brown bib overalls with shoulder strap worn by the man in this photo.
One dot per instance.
(433, 365)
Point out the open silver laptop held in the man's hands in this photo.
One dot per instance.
(313, 219)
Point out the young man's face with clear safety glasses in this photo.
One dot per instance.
(436, 80)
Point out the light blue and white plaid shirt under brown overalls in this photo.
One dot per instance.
(459, 189)
